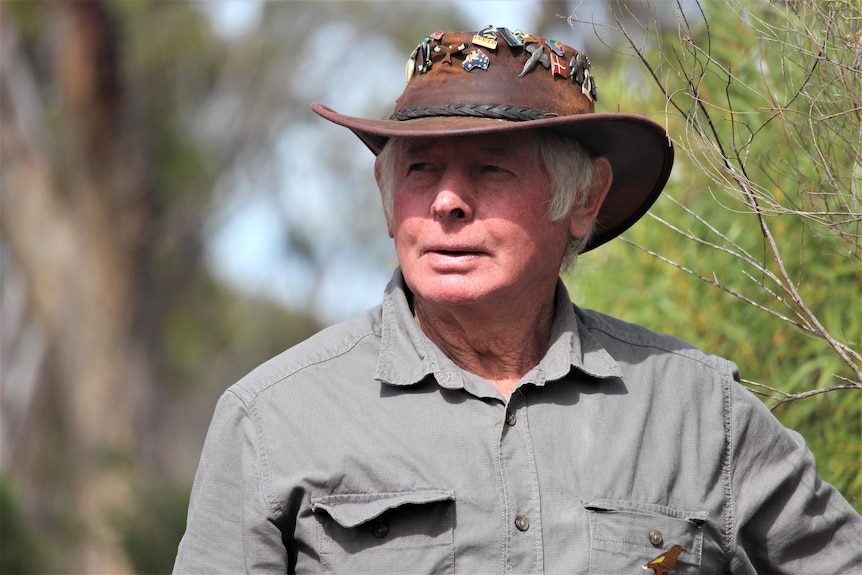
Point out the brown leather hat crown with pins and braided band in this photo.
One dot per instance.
(522, 77)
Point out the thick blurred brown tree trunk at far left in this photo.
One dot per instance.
(88, 200)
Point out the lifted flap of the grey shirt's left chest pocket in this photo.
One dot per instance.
(352, 509)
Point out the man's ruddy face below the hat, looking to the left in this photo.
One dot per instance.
(470, 220)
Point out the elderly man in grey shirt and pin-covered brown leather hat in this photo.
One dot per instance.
(477, 421)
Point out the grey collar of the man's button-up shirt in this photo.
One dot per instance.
(407, 356)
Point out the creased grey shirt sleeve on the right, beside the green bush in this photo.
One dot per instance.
(787, 519)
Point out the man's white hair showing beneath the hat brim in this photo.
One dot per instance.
(569, 168)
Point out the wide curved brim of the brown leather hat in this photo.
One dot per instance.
(639, 150)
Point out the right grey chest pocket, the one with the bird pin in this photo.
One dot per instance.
(624, 536)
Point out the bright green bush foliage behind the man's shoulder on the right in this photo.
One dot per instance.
(761, 108)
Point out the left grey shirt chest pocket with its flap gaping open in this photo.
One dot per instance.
(404, 532)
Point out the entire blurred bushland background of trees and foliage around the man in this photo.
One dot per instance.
(173, 214)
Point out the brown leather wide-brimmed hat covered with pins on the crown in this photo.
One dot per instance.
(497, 80)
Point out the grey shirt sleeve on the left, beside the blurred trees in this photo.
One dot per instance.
(230, 527)
